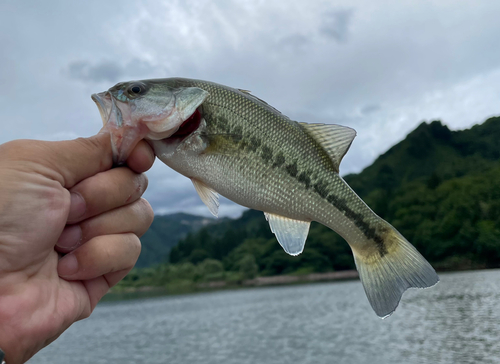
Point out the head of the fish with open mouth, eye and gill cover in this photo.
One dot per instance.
(148, 109)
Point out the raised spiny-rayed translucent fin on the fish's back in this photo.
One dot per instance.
(336, 139)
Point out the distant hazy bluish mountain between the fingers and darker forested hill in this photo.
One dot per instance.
(164, 233)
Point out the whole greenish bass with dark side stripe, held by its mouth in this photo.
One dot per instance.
(231, 143)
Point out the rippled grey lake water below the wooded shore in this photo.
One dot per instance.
(457, 321)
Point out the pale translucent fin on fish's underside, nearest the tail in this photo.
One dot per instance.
(291, 234)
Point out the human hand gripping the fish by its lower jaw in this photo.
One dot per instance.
(63, 197)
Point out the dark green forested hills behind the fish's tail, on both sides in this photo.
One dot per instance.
(438, 187)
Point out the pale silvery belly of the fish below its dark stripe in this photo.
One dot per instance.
(261, 187)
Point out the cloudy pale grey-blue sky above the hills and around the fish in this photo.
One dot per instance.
(380, 67)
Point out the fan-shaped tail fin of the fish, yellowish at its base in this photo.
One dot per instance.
(386, 277)
